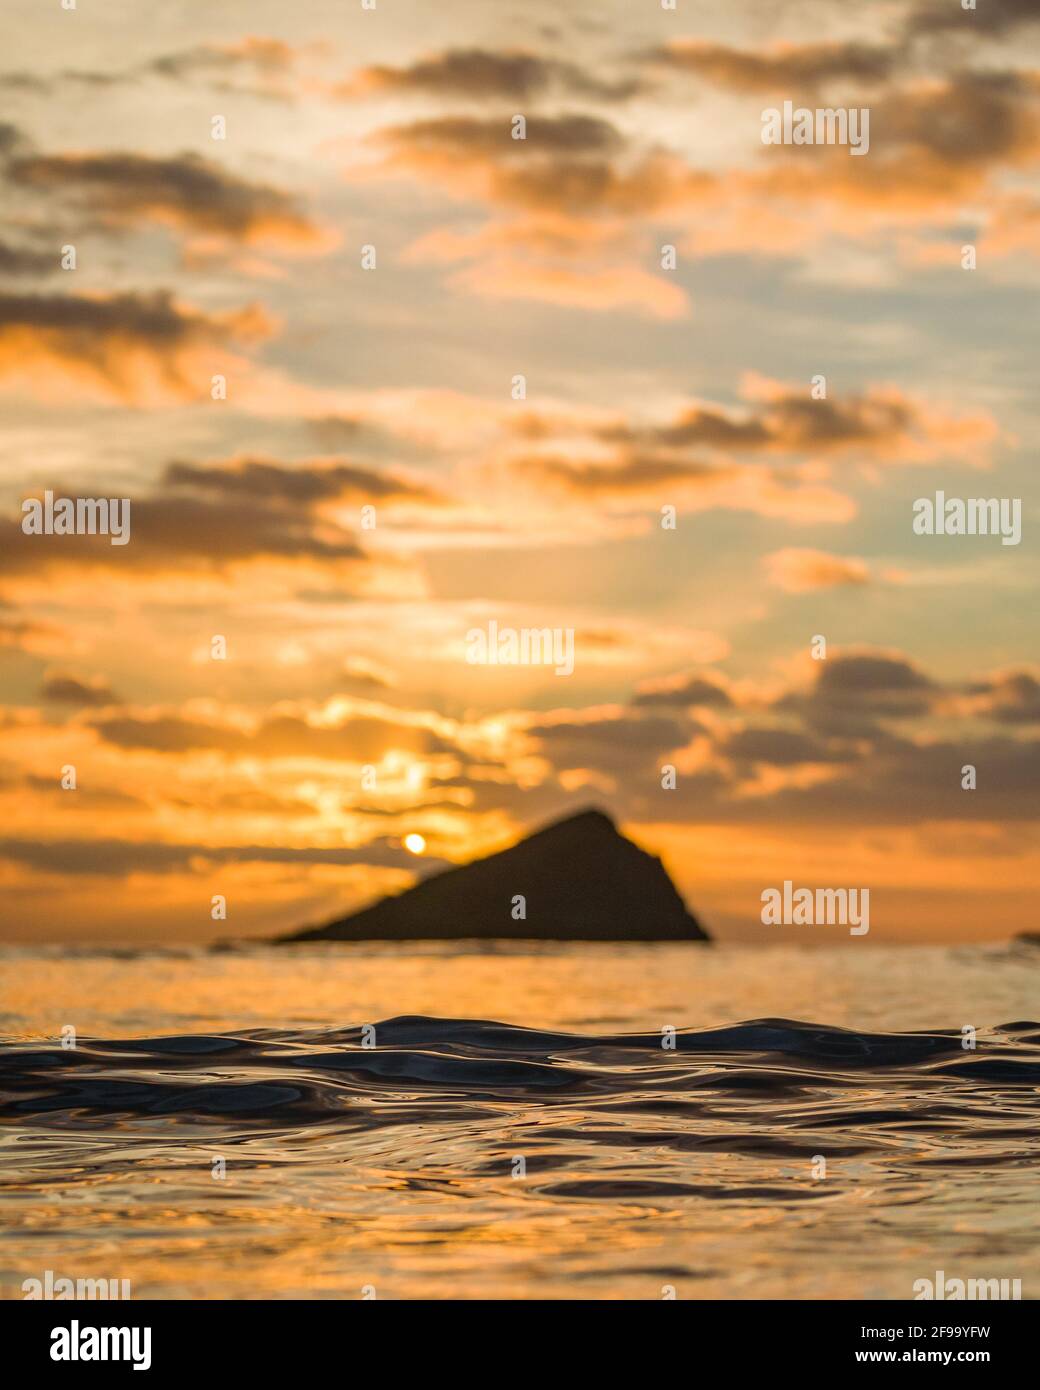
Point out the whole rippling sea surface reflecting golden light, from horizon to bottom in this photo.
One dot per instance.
(469, 1121)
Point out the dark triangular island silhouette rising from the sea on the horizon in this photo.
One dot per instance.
(578, 879)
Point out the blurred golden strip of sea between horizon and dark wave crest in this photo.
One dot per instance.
(535, 986)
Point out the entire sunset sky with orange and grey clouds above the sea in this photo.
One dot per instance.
(391, 387)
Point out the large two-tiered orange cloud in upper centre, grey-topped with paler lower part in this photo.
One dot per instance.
(574, 194)
